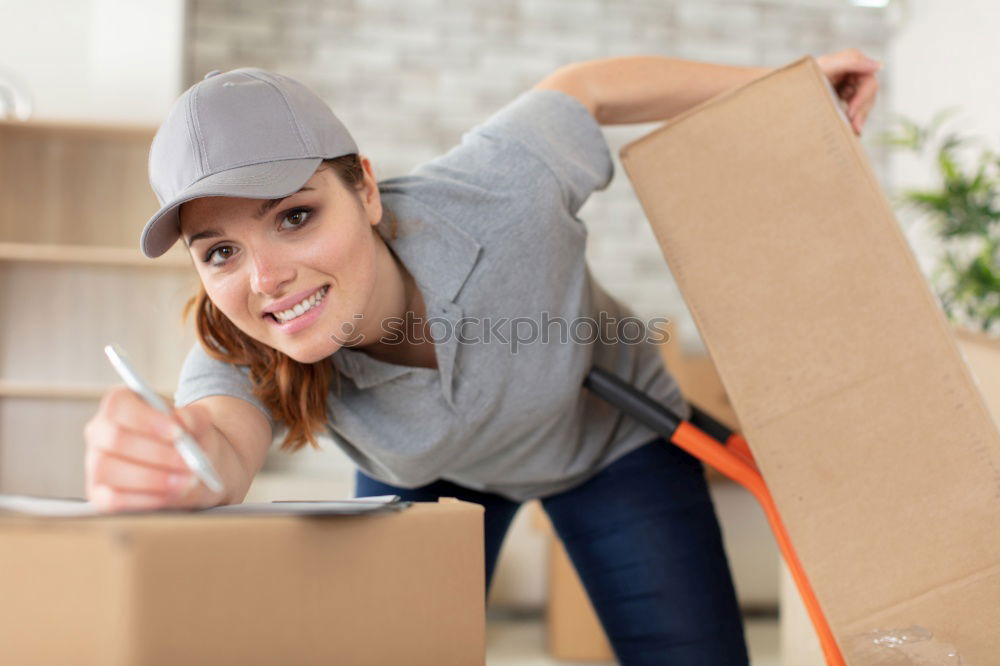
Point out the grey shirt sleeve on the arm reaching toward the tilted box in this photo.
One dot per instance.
(542, 137)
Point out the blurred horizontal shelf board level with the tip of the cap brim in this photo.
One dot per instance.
(92, 255)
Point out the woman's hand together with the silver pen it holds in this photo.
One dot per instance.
(142, 455)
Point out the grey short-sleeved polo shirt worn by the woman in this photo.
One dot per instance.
(489, 231)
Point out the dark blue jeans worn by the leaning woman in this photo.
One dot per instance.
(646, 543)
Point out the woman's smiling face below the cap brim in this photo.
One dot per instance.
(291, 274)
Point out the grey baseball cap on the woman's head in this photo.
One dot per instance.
(244, 133)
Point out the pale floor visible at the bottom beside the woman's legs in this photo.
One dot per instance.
(521, 642)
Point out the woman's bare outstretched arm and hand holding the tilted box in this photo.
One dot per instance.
(636, 89)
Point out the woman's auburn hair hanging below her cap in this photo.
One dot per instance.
(295, 393)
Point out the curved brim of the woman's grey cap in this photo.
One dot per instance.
(268, 180)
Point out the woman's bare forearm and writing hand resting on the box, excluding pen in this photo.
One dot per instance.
(131, 463)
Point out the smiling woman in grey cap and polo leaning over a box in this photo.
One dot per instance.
(329, 300)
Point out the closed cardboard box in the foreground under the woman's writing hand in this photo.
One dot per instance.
(175, 588)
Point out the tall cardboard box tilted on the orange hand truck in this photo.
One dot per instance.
(874, 441)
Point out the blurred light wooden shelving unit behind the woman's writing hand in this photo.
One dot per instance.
(73, 199)
